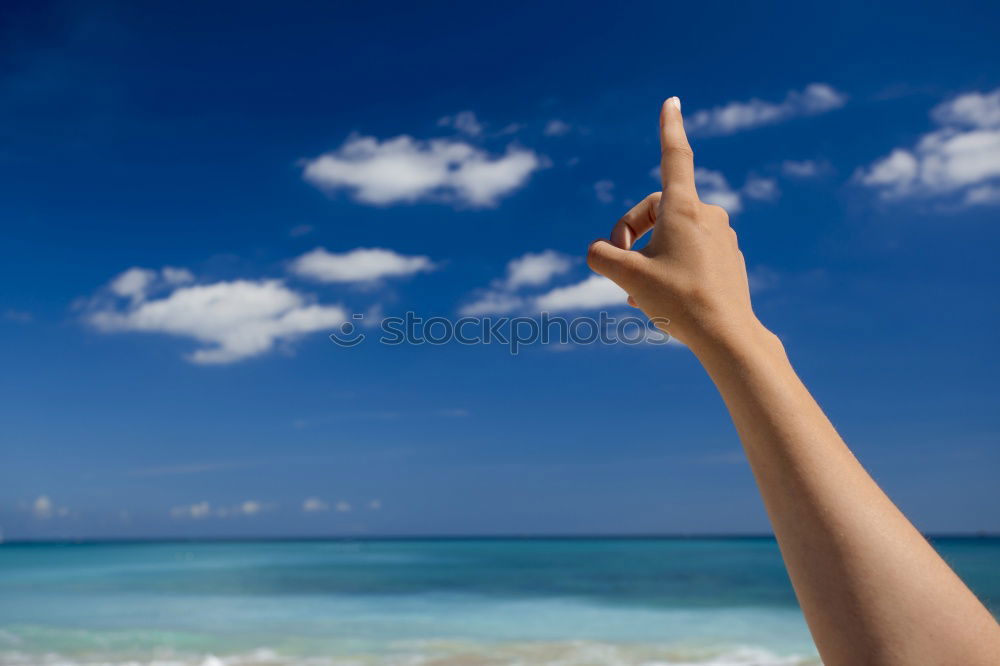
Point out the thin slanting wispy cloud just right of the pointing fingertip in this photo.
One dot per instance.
(737, 116)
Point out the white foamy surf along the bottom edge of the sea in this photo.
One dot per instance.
(441, 653)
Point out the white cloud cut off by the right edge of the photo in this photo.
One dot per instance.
(960, 160)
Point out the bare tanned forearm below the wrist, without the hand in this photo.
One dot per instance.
(872, 589)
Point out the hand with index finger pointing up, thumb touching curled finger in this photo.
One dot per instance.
(692, 272)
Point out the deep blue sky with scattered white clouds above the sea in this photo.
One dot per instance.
(171, 172)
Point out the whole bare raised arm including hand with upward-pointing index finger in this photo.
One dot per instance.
(872, 589)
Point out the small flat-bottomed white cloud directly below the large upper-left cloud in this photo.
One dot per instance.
(359, 265)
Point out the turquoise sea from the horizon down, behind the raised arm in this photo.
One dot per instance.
(437, 602)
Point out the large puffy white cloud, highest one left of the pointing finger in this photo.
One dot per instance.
(405, 169)
